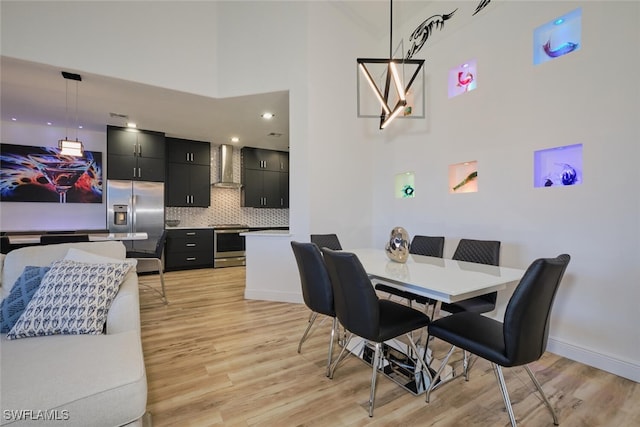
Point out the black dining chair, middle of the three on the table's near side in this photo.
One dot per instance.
(361, 312)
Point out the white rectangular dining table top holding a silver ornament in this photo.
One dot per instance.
(445, 280)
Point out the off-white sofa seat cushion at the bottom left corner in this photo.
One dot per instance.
(98, 379)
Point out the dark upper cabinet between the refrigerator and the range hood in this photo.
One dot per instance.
(188, 173)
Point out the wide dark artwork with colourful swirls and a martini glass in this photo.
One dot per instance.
(42, 174)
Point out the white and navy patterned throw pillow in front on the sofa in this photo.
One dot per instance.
(73, 298)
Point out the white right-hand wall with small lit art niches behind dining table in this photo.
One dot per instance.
(519, 108)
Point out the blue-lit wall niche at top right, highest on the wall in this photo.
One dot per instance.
(558, 37)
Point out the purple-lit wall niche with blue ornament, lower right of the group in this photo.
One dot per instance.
(558, 166)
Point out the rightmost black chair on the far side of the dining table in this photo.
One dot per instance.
(481, 252)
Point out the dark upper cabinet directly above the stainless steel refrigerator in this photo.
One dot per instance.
(133, 154)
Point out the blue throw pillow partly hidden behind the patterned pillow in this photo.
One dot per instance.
(22, 291)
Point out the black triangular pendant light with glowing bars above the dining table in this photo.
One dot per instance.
(392, 78)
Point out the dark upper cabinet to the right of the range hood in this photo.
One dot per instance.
(265, 178)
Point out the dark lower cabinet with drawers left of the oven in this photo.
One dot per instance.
(188, 248)
